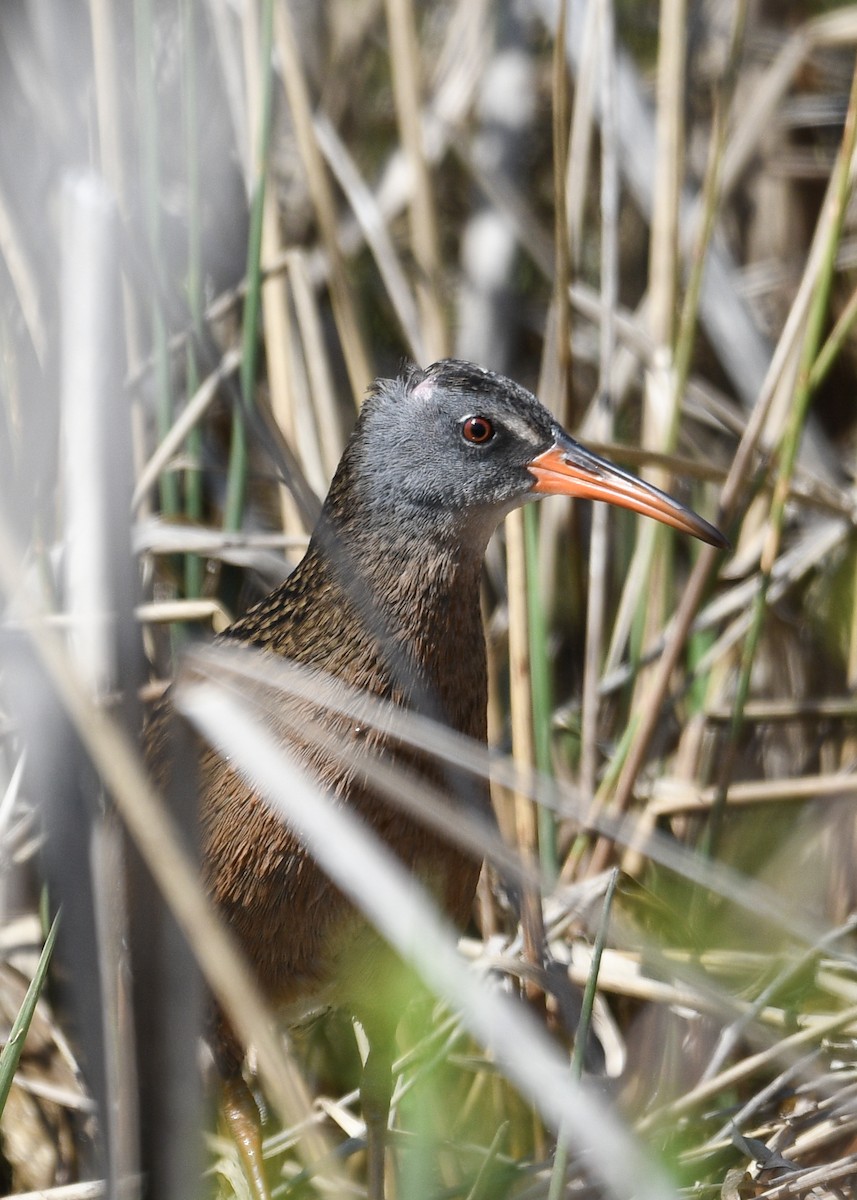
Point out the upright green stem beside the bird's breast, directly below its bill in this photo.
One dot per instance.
(541, 686)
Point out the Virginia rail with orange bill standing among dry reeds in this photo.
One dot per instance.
(387, 599)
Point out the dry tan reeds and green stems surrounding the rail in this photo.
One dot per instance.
(219, 223)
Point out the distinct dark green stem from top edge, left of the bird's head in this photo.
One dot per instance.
(237, 481)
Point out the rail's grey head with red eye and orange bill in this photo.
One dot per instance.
(456, 447)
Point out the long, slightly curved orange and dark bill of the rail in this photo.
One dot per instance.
(571, 470)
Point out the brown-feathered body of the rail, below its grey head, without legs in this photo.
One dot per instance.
(363, 623)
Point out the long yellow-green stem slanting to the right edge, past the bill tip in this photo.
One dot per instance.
(788, 455)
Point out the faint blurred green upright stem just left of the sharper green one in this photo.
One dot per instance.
(194, 478)
